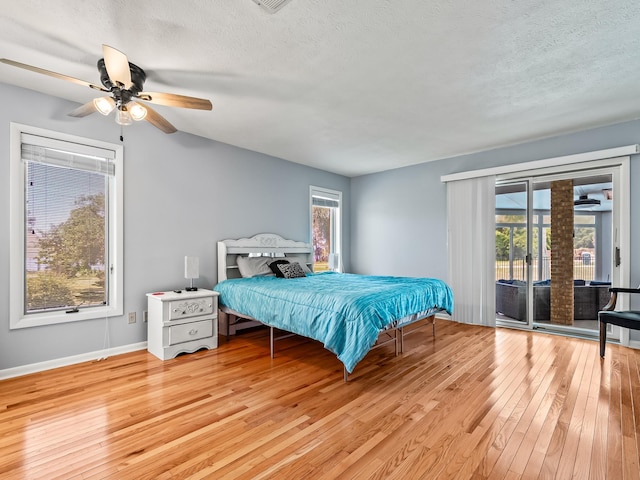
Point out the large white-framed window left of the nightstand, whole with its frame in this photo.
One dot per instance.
(66, 235)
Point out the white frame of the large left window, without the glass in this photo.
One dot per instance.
(114, 307)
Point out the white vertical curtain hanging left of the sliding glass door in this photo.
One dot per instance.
(471, 247)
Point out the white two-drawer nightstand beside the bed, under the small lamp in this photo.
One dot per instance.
(181, 322)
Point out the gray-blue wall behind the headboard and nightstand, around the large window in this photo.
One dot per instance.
(182, 194)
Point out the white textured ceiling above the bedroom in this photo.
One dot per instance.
(355, 86)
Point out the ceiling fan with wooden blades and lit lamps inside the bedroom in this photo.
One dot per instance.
(124, 82)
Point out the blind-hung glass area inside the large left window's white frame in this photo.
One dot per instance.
(66, 223)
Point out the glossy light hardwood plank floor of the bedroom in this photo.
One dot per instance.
(472, 403)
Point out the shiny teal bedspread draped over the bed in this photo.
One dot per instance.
(343, 311)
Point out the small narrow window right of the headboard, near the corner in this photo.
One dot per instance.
(325, 228)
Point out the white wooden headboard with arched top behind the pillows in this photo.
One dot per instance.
(268, 244)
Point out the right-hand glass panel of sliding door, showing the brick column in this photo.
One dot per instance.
(583, 280)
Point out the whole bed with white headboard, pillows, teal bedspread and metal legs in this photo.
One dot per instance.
(349, 314)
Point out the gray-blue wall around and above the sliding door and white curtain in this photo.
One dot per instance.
(399, 217)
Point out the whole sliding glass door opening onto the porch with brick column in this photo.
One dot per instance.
(556, 250)
